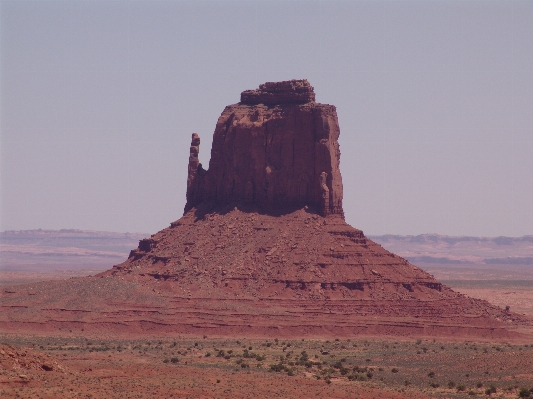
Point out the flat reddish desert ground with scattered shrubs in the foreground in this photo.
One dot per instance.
(214, 368)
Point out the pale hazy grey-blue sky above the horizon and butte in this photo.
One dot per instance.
(434, 98)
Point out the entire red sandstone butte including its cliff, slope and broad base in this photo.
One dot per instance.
(262, 249)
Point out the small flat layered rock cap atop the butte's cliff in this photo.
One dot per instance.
(297, 91)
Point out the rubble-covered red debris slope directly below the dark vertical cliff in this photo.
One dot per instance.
(297, 255)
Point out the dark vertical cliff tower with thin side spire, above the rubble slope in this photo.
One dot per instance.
(277, 149)
